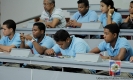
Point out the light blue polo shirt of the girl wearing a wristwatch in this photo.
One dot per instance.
(116, 17)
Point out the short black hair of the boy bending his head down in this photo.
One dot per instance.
(61, 35)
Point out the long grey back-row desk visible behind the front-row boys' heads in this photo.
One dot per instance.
(76, 31)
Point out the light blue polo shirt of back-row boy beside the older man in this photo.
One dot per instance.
(88, 17)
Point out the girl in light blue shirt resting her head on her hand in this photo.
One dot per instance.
(109, 14)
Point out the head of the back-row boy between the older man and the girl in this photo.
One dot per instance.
(83, 6)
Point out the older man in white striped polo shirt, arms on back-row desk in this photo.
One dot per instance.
(52, 17)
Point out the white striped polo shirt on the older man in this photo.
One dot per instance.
(57, 13)
